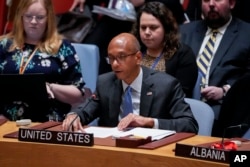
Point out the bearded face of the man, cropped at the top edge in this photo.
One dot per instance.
(217, 12)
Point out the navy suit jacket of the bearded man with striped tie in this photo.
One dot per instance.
(232, 58)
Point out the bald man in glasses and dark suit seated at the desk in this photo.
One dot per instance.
(157, 98)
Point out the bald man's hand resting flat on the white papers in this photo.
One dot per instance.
(132, 120)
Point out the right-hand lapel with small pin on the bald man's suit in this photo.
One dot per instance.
(147, 93)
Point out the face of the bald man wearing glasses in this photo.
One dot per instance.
(125, 62)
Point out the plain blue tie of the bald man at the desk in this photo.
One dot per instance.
(127, 102)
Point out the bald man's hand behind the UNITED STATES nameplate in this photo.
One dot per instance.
(72, 123)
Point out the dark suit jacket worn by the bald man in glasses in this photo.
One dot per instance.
(161, 97)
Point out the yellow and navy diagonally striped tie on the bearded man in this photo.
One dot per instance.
(205, 57)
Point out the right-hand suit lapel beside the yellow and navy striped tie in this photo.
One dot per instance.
(225, 44)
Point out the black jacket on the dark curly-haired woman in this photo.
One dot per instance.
(182, 65)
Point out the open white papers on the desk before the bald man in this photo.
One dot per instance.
(156, 134)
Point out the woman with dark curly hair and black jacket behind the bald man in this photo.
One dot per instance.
(157, 31)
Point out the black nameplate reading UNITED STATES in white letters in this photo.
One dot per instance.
(56, 137)
